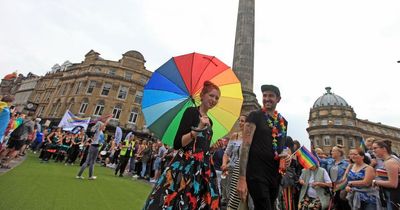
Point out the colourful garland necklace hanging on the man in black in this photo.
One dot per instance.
(277, 124)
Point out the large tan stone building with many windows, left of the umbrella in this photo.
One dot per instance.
(95, 87)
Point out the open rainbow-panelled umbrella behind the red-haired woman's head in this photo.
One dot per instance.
(177, 84)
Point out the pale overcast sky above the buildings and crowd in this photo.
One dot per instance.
(300, 46)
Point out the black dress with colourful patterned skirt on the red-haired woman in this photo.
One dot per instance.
(189, 181)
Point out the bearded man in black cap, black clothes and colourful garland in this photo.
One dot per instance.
(264, 139)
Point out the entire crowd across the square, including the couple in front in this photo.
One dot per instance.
(253, 168)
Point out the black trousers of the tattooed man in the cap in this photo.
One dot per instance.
(263, 195)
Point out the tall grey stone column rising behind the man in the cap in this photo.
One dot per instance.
(243, 56)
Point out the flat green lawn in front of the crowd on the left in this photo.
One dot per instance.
(34, 185)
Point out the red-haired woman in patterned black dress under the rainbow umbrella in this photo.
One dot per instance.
(190, 181)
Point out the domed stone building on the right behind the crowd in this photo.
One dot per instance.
(332, 121)
